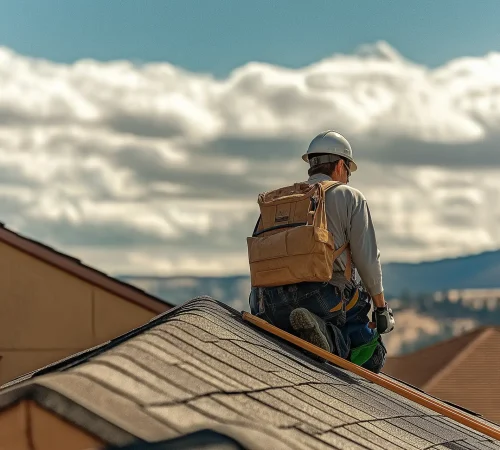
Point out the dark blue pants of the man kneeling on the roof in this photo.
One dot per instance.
(345, 314)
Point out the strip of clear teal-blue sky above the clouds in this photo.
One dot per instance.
(219, 35)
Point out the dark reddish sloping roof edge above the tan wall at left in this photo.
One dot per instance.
(76, 268)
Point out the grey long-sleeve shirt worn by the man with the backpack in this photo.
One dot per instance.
(349, 219)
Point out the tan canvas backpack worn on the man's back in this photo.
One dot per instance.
(291, 242)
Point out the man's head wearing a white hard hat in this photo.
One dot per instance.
(330, 153)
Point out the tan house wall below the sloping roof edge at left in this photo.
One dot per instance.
(47, 314)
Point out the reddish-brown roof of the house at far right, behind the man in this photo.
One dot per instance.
(463, 370)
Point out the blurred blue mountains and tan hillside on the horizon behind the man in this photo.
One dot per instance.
(411, 288)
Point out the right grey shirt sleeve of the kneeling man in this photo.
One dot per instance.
(365, 253)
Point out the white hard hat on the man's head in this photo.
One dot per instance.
(332, 143)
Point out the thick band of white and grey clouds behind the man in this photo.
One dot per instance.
(153, 168)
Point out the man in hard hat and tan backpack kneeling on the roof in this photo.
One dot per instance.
(314, 261)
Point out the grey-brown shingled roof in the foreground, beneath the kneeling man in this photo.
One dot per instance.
(199, 366)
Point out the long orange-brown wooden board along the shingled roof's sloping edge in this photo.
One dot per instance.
(410, 394)
